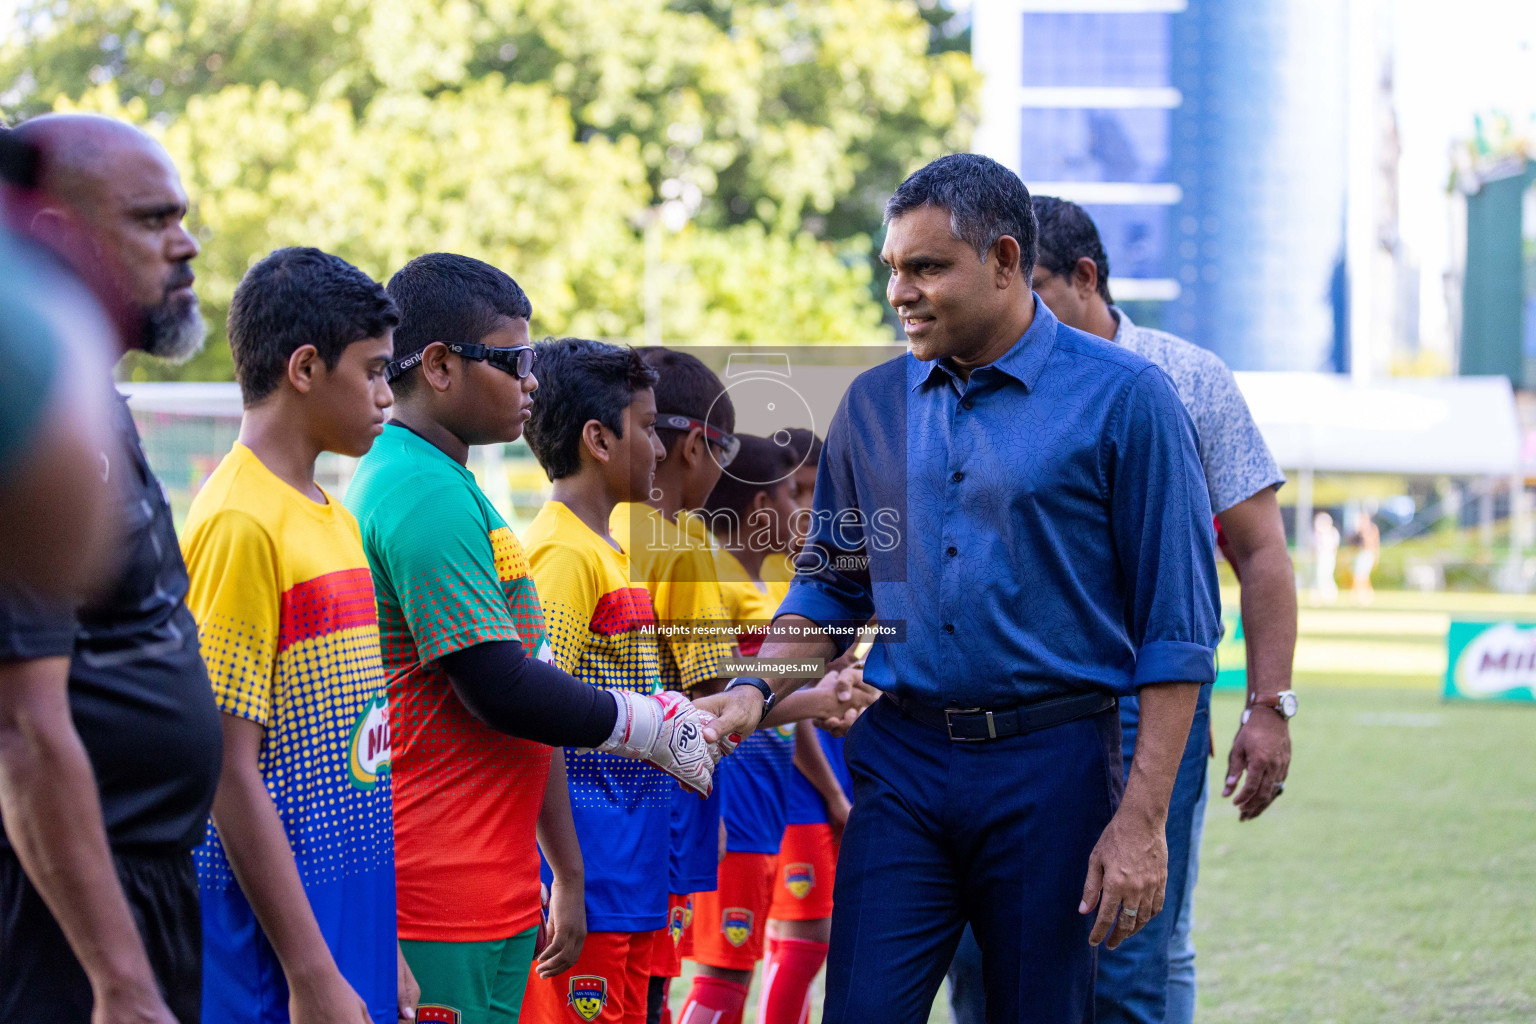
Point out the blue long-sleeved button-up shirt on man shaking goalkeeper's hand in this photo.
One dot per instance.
(1036, 532)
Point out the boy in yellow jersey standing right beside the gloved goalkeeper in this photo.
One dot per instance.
(594, 431)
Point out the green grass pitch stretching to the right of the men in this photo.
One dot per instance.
(1395, 882)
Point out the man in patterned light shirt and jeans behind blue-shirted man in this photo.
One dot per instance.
(1151, 977)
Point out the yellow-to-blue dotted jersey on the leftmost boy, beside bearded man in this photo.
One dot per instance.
(283, 600)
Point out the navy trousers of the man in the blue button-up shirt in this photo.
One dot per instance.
(991, 834)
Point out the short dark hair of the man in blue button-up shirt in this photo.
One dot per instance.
(985, 202)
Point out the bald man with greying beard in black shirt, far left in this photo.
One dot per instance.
(110, 741)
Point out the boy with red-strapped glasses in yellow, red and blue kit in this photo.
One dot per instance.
(670, 557)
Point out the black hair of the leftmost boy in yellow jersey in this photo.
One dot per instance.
(300, 297)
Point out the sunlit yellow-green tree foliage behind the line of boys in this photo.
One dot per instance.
(535, 134)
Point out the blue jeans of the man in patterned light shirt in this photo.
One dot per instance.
(1134, 980)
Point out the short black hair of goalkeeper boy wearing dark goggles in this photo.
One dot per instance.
(445, 297)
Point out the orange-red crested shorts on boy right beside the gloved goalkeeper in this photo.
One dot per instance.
(609, 983)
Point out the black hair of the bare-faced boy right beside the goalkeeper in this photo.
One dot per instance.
(580, 382)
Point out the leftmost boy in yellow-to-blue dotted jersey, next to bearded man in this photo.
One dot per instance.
(299, 873)
